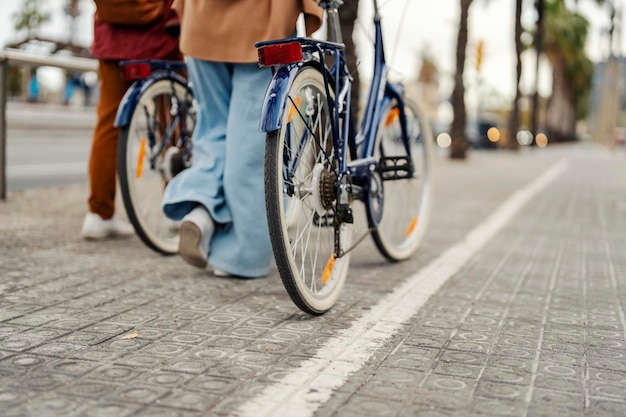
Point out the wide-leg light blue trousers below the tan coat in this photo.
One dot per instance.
(226, 175)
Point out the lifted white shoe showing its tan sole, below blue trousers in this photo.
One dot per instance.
(196, 231)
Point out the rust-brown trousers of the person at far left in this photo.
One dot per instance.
(103, 157)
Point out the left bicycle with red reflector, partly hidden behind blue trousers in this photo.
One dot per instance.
(156, 119)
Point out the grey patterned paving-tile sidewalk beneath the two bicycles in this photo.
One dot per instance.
(534, 324)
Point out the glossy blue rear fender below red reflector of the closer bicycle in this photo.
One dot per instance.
(276, 98)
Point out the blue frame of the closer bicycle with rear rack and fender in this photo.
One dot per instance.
(361, 146)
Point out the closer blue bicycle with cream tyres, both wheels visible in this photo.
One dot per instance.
(317, 164)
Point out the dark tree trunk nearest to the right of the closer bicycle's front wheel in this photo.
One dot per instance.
(458, 149)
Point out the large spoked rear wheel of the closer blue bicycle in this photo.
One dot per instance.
(300, 177)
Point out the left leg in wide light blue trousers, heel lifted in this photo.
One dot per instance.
(202, 183)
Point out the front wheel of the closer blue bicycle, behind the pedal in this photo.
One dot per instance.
(398, 201)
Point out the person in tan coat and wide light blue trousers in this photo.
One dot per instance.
(220, 198)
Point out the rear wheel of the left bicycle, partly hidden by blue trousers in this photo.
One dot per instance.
(142, 184)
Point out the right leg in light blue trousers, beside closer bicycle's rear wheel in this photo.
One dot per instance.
(243, 249)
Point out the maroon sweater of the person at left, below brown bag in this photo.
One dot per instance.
(123, 42)
